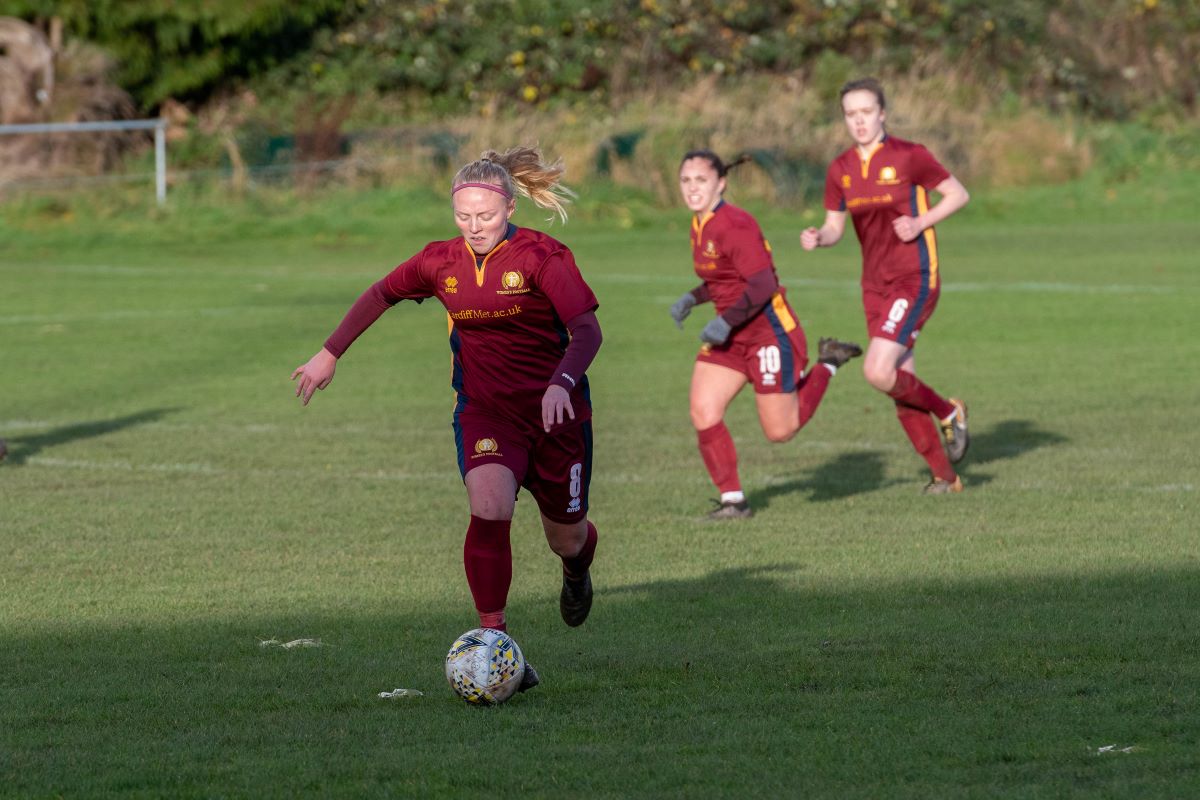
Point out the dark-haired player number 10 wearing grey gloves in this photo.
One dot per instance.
(755, 338)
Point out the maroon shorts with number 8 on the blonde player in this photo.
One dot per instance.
(556, 468)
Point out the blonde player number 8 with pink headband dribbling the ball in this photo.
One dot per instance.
(524, 333)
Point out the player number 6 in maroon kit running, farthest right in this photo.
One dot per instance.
(884, 183)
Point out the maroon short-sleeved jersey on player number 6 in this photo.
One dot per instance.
(893, 182)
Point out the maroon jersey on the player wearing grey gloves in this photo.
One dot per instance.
(728, 248)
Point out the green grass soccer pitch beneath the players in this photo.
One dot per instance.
(167, 507)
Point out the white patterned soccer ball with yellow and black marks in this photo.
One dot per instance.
(485, 666)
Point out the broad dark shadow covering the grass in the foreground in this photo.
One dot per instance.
(699, 687)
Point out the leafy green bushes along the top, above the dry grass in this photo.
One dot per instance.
(1108, 58)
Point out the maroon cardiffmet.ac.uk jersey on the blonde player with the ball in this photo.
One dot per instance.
(507, 314)
